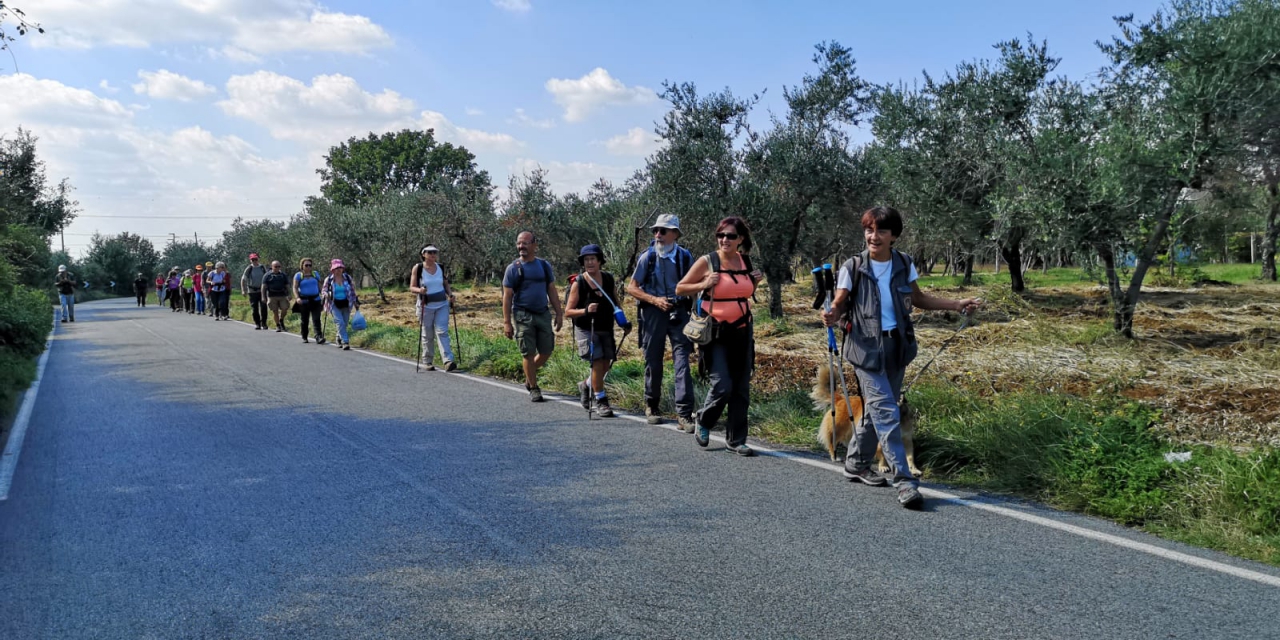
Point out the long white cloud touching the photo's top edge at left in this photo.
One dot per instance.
(243, 29)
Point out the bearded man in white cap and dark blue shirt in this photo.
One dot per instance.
(664, 316)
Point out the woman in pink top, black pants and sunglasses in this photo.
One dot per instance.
(725, 282)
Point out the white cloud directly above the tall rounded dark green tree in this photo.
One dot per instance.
(335, 108)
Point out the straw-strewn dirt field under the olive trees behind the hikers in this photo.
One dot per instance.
(1209, 359)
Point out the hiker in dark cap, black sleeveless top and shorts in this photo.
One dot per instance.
(593, 327)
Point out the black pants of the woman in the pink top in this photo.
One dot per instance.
(730, 358)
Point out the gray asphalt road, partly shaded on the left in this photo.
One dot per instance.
(184, 478)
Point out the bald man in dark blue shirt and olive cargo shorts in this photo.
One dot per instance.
(528, 287)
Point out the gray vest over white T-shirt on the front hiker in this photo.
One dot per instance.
(865, 344)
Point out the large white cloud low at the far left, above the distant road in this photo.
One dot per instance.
(121, 167)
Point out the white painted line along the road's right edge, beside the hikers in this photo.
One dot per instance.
(1160, 552)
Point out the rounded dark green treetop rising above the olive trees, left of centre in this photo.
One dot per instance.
(362, 172)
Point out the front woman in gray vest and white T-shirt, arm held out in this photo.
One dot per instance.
(880, 342)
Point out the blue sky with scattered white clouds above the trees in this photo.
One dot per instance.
(211, 109)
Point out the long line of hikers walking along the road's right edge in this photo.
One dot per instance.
(700, 308)
